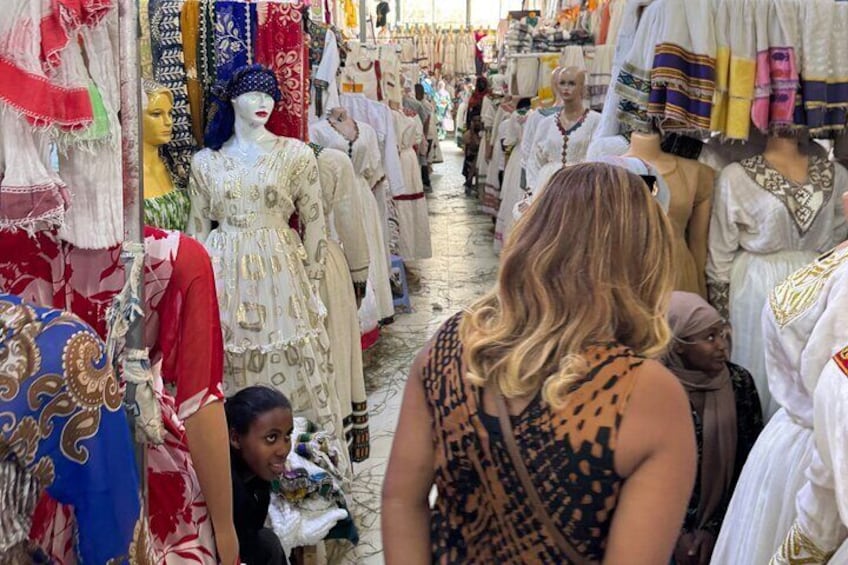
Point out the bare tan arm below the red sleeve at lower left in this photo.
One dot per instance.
(208, 443)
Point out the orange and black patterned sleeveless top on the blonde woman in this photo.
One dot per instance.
(482, 513)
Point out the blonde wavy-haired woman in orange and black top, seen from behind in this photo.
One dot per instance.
(539, 414)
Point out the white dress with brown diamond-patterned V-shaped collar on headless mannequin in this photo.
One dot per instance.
(763, 227)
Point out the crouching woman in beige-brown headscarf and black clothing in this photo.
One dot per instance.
(726, 413)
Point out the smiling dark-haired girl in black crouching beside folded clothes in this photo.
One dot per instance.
(260, 423)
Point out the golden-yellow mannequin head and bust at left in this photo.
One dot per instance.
(164, 205)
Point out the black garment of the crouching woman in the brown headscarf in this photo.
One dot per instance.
(749, 423)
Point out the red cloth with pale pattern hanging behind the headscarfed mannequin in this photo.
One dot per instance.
(281, 45)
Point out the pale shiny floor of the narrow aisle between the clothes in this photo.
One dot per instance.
(462, 268)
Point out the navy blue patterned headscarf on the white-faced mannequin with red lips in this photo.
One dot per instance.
(250, 78)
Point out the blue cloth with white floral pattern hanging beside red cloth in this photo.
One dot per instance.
(233, 37)
